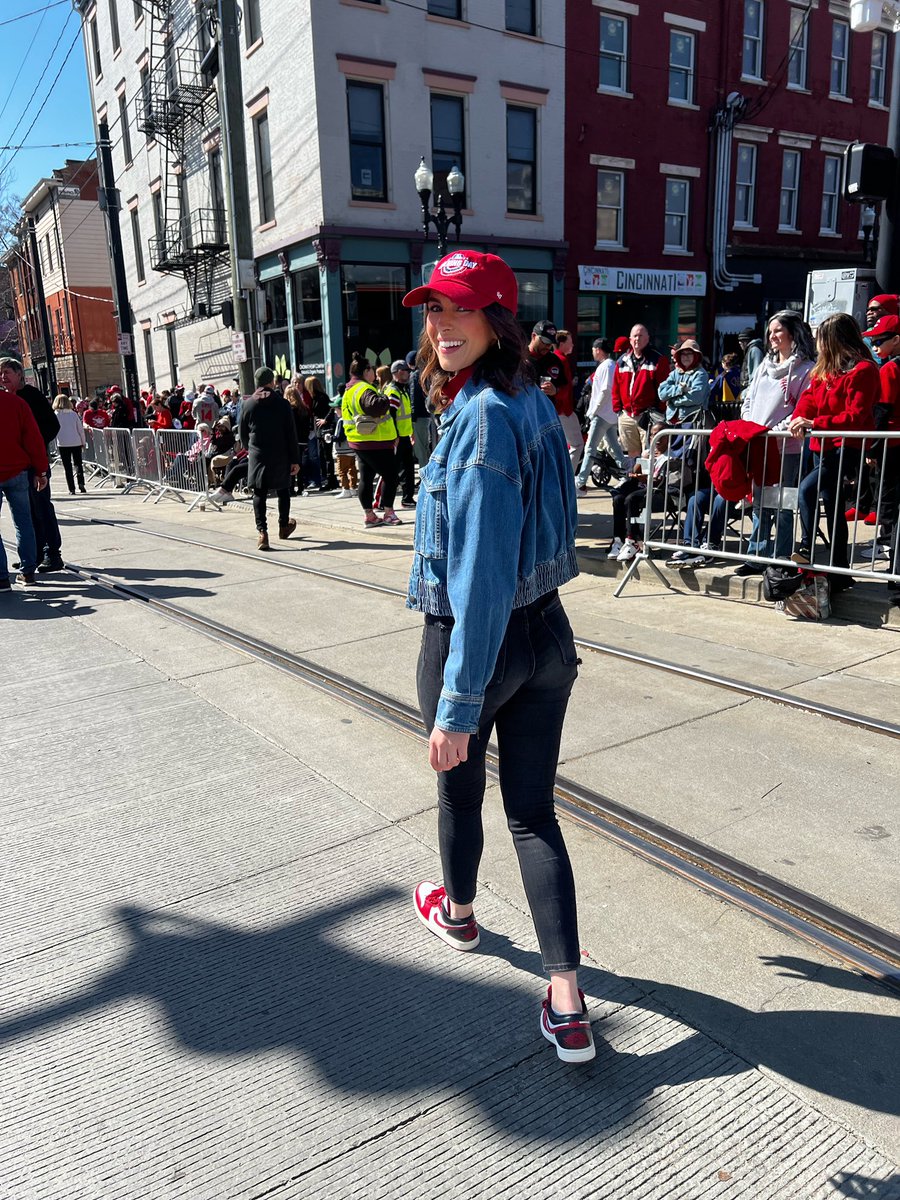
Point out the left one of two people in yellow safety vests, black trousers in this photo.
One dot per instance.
(370, 429)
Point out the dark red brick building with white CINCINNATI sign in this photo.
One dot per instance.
(705, 143)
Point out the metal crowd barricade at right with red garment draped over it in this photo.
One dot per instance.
(796, 493)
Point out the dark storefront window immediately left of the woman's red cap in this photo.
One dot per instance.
(375, 321)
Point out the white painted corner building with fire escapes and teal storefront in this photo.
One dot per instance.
(343, 99)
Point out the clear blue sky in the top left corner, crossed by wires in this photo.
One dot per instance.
(29, 51)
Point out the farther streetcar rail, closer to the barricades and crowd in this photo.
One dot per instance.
(697, 675)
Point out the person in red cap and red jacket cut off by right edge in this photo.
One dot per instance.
(885, 341)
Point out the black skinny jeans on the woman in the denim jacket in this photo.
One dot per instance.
(526, 700)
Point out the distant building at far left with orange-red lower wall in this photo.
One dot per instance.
(74, 263)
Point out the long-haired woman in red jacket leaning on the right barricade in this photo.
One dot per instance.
(844, 388)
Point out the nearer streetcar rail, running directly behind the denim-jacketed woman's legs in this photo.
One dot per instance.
(865, 946)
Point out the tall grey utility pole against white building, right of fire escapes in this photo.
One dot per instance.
(237, 189)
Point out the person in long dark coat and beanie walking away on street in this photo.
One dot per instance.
(268, 433)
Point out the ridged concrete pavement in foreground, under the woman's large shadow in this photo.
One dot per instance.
(215, 986)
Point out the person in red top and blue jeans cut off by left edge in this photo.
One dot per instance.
(22, 449)
